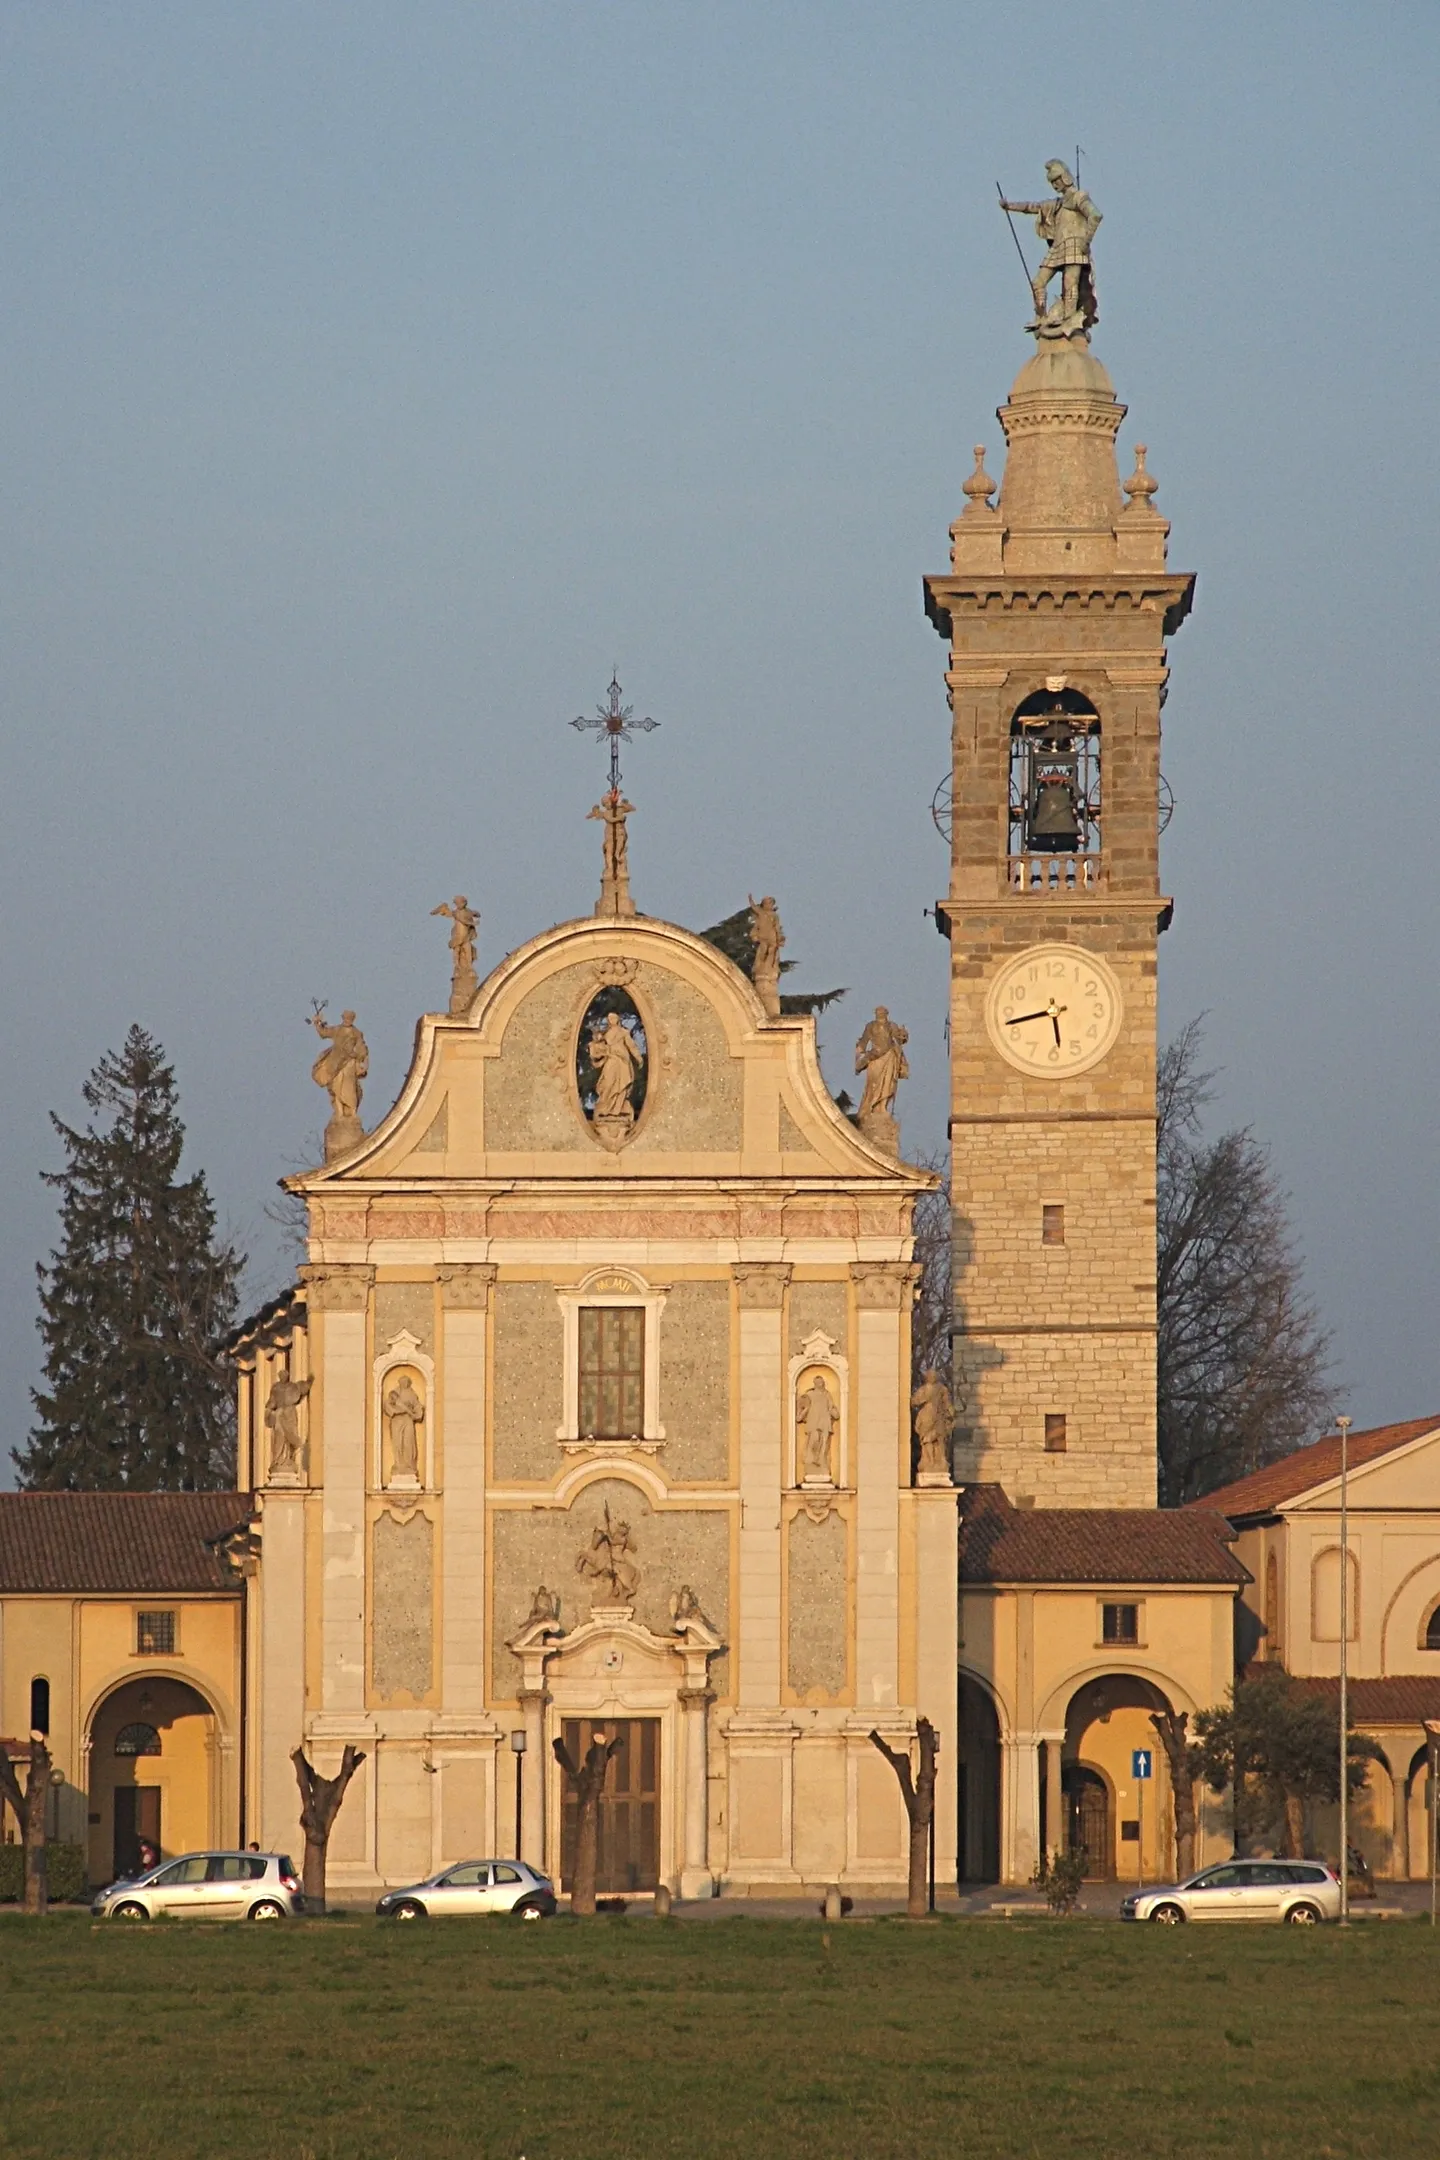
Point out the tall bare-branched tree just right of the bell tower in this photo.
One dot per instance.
(1242, 1362)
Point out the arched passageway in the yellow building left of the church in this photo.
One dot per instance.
(154, 1774)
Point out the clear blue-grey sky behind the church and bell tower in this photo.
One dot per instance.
(375, 379)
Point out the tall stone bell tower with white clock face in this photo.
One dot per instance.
(1057, 610)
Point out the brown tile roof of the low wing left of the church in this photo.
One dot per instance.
(144, 1543)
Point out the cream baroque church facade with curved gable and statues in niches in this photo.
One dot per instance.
(593, 1412)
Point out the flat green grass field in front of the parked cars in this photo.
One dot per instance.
(347, 2040)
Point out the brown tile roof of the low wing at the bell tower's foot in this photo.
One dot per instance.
(1093, 1545)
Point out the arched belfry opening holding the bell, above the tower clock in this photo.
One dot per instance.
(1055, 794)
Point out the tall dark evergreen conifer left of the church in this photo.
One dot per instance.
(135, 1304)
